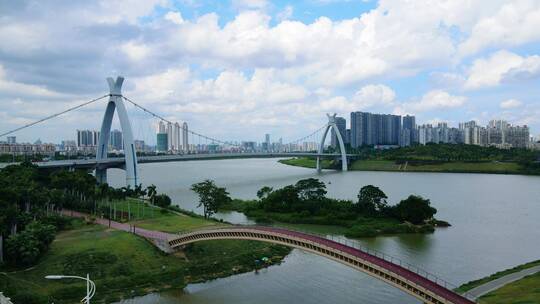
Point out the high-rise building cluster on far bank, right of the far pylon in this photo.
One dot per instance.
(386, 130)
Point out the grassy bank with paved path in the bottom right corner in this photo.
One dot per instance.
(515, 285)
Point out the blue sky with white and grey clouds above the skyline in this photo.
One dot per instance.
(237, 69)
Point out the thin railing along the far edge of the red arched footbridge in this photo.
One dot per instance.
(345, 241)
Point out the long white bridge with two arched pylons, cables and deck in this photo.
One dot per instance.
(130, 161)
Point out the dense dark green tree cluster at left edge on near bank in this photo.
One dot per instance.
(30, 201)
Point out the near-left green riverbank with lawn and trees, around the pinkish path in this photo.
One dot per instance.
(39, 242)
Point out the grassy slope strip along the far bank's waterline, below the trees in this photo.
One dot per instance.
(493, 167)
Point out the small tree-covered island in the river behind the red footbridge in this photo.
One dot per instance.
(371, 215)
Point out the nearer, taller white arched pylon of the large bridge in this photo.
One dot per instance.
(116, 102)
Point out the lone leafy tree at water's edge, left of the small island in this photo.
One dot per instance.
(211, 197)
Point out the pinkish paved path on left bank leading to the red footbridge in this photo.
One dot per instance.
(159, 238)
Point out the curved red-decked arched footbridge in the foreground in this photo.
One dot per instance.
(426, 287)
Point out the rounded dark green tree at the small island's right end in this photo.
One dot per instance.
(415, 209)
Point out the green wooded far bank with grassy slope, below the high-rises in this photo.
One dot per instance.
(437, 158)
